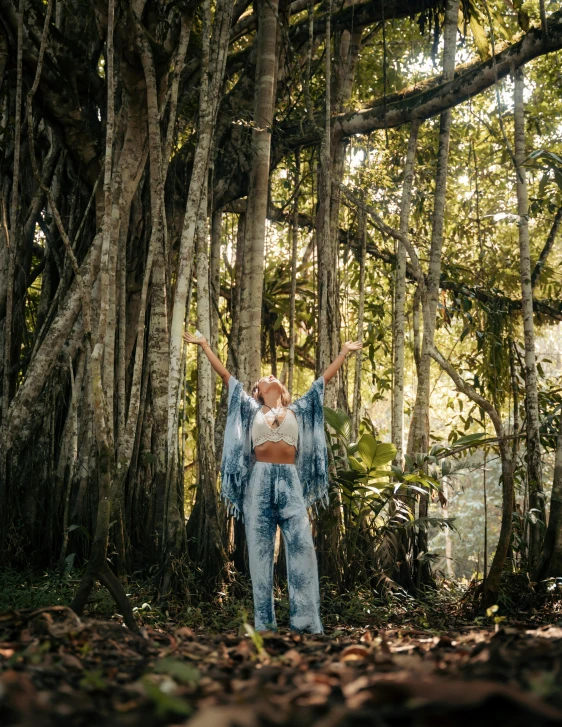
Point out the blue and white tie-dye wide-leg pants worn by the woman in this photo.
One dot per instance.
(274, 497)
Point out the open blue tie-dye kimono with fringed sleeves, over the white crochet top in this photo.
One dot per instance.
(238, 455)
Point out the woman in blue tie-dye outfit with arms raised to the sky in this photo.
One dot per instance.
(274, 466)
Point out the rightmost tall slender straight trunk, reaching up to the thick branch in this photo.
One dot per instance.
(534, 464)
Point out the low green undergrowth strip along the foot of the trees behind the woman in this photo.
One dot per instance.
(443, 608)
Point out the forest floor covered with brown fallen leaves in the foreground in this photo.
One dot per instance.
(424, 665)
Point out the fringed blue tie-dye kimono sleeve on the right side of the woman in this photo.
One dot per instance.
(312, 453)
